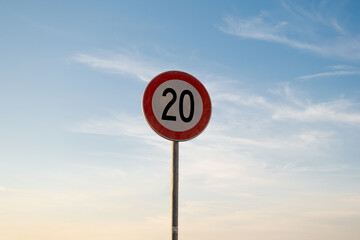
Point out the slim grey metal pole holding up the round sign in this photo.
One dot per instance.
(175, 190)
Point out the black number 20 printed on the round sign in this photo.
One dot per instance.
(165, 115)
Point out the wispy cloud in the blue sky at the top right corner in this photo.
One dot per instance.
(262, 27)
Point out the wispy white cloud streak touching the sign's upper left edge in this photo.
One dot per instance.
(127, 64)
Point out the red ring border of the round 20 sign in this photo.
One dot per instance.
(156, 125)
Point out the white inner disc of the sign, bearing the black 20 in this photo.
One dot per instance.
(177, 105)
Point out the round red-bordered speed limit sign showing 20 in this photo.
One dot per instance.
(176, 106)
